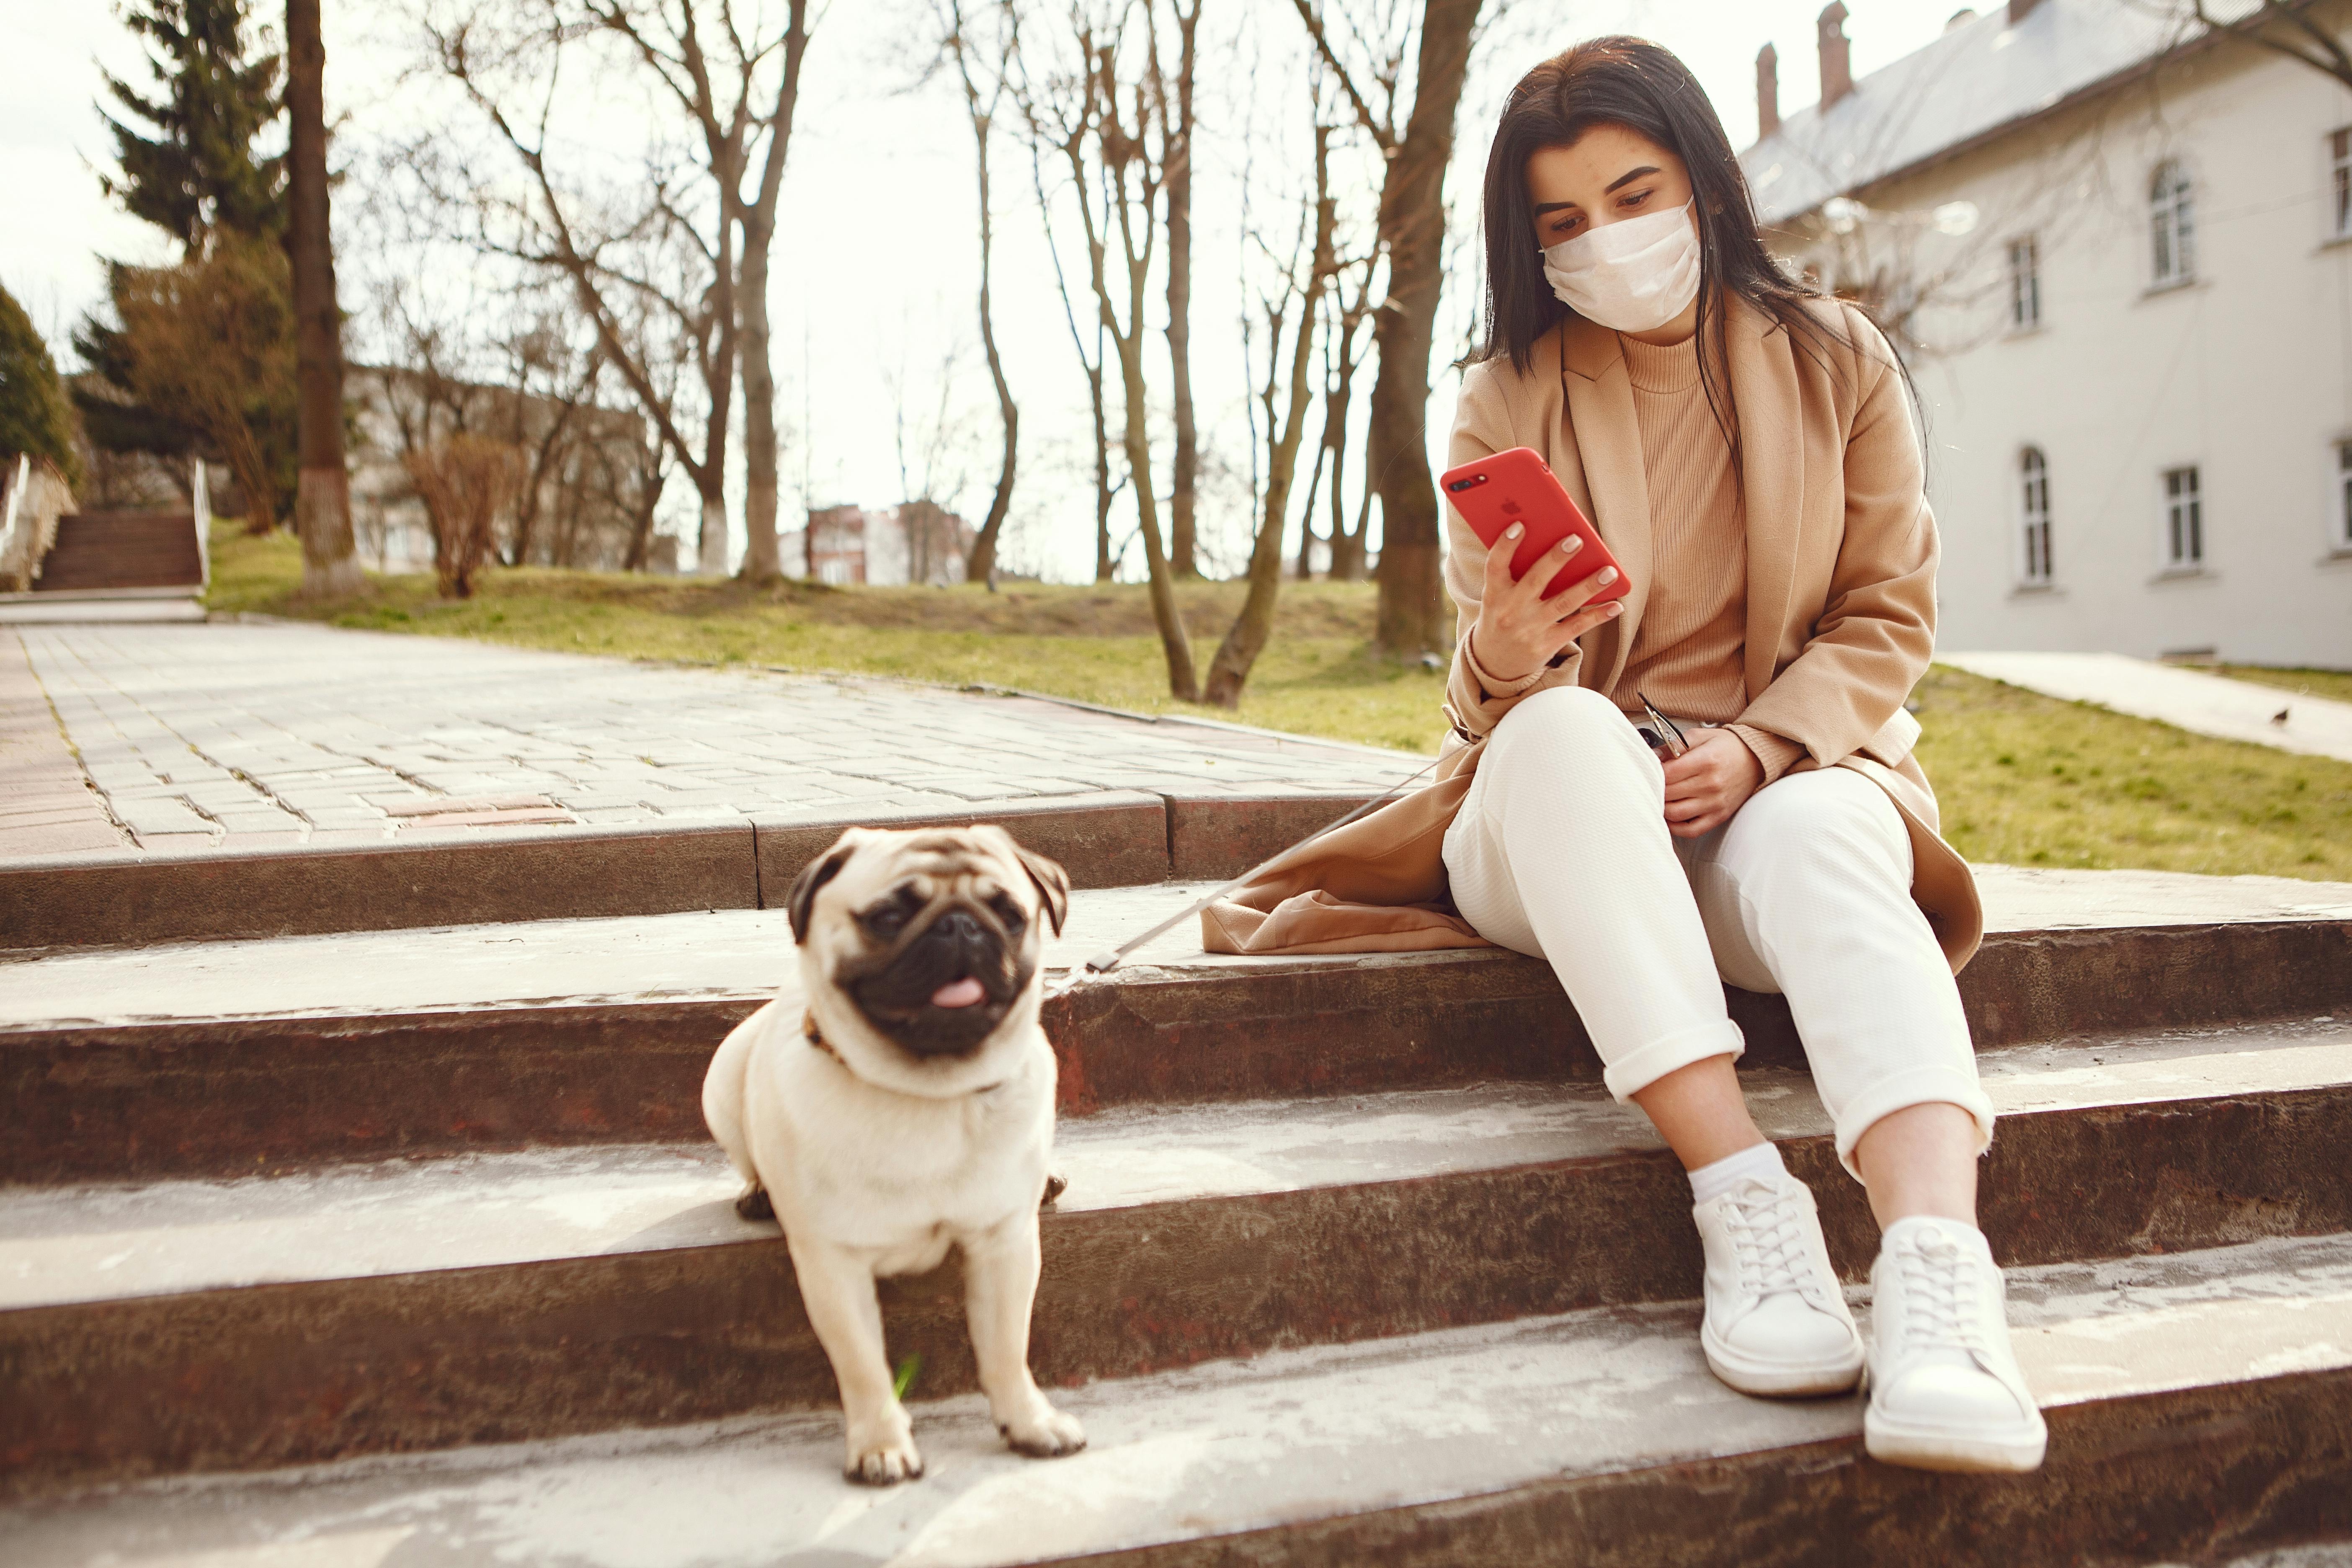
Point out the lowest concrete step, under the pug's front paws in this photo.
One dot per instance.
(2200, 1407)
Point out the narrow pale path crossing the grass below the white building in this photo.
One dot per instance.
(2189, 699)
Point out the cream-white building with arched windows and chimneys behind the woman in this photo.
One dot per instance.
(2120, 262)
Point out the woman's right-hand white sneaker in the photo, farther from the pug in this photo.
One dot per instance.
(1946, 1391)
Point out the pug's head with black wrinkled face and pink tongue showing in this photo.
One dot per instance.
(930, 934)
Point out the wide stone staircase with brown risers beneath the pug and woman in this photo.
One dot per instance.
(401, 1247)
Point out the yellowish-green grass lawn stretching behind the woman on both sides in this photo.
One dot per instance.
(2024, 779)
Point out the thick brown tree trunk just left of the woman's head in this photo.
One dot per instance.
(1415, 232)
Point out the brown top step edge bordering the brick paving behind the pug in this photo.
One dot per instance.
(568, 873)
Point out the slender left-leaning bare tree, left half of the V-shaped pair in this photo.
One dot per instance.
(1100, 116)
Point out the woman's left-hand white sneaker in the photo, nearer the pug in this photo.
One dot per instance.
(1777, 1320)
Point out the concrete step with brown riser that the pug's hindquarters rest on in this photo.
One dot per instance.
(490, 1299)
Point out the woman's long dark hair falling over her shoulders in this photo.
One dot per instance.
(1636, 83)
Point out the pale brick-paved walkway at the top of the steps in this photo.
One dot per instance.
(246, 737)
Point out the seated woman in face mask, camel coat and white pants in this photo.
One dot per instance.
(1749, 455)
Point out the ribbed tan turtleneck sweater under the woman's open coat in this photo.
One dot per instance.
(1688, 655)
